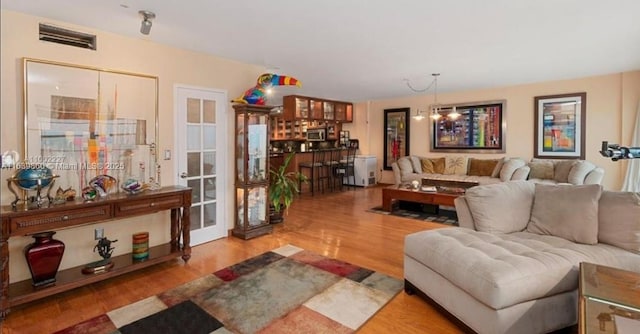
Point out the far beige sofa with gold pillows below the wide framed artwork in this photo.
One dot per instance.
(459, 168)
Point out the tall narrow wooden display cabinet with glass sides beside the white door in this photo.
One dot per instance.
(252, 171)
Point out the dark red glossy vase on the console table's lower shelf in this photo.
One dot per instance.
(44, 257)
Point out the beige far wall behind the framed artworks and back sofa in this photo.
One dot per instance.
(612, 101)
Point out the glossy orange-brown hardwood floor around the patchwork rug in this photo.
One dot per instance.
(332, 224)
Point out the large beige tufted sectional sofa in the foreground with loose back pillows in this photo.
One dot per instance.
(512, 265)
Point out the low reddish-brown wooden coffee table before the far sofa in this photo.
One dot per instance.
(401, 192)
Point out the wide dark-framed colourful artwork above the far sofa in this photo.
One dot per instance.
(477, 127)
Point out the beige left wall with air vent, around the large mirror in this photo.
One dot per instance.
(19, 37)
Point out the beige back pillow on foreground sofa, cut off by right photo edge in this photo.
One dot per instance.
(619, 220)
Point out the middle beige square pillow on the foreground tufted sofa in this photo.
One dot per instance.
(566, 211)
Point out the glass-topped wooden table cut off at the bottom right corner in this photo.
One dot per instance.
(609, 300)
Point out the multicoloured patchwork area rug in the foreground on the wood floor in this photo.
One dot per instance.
(287, 290)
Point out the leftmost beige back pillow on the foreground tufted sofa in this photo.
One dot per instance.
(501, 207)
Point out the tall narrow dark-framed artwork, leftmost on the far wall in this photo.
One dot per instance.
(396, 135)
